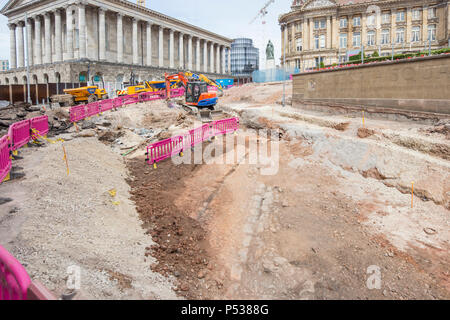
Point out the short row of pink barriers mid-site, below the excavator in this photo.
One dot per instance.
(167, 148)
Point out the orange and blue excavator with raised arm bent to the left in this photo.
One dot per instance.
(196, 92)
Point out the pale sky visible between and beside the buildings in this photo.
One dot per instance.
(230, 18)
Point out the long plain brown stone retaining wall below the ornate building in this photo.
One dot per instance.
(421, 85)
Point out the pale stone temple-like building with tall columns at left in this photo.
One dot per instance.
(67, 41)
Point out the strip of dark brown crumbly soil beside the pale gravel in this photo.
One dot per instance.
(180, 248)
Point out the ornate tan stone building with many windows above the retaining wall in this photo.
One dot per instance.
(331, 30)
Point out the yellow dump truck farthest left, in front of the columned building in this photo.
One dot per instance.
(75, 96)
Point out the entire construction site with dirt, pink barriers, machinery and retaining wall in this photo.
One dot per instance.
(332, 185)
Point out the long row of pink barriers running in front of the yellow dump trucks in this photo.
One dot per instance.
(81, 112)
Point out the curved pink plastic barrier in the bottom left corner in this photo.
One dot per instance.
(14, 279)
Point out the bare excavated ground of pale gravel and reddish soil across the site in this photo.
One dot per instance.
(337, 206)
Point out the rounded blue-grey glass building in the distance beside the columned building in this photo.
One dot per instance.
(244, 57)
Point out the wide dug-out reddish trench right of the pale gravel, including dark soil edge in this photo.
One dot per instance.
(310, 231)
